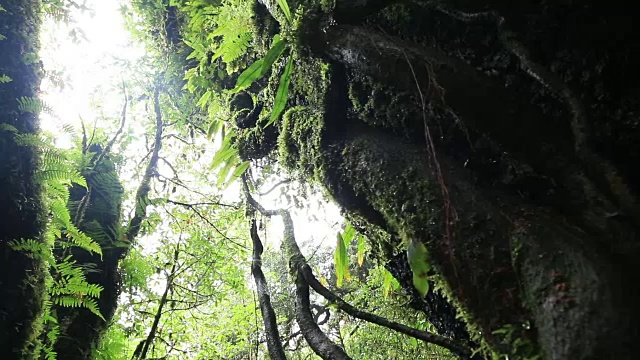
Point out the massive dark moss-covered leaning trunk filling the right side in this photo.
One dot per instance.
(504, 136)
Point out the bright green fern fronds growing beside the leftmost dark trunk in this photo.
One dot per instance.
(67, 284)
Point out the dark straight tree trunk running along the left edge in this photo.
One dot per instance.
(21, 214)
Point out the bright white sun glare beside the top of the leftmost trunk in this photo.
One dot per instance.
(84, 58)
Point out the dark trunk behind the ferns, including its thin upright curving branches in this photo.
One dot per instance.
(98, 212)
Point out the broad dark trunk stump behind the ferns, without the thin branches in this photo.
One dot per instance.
(96, 212)
